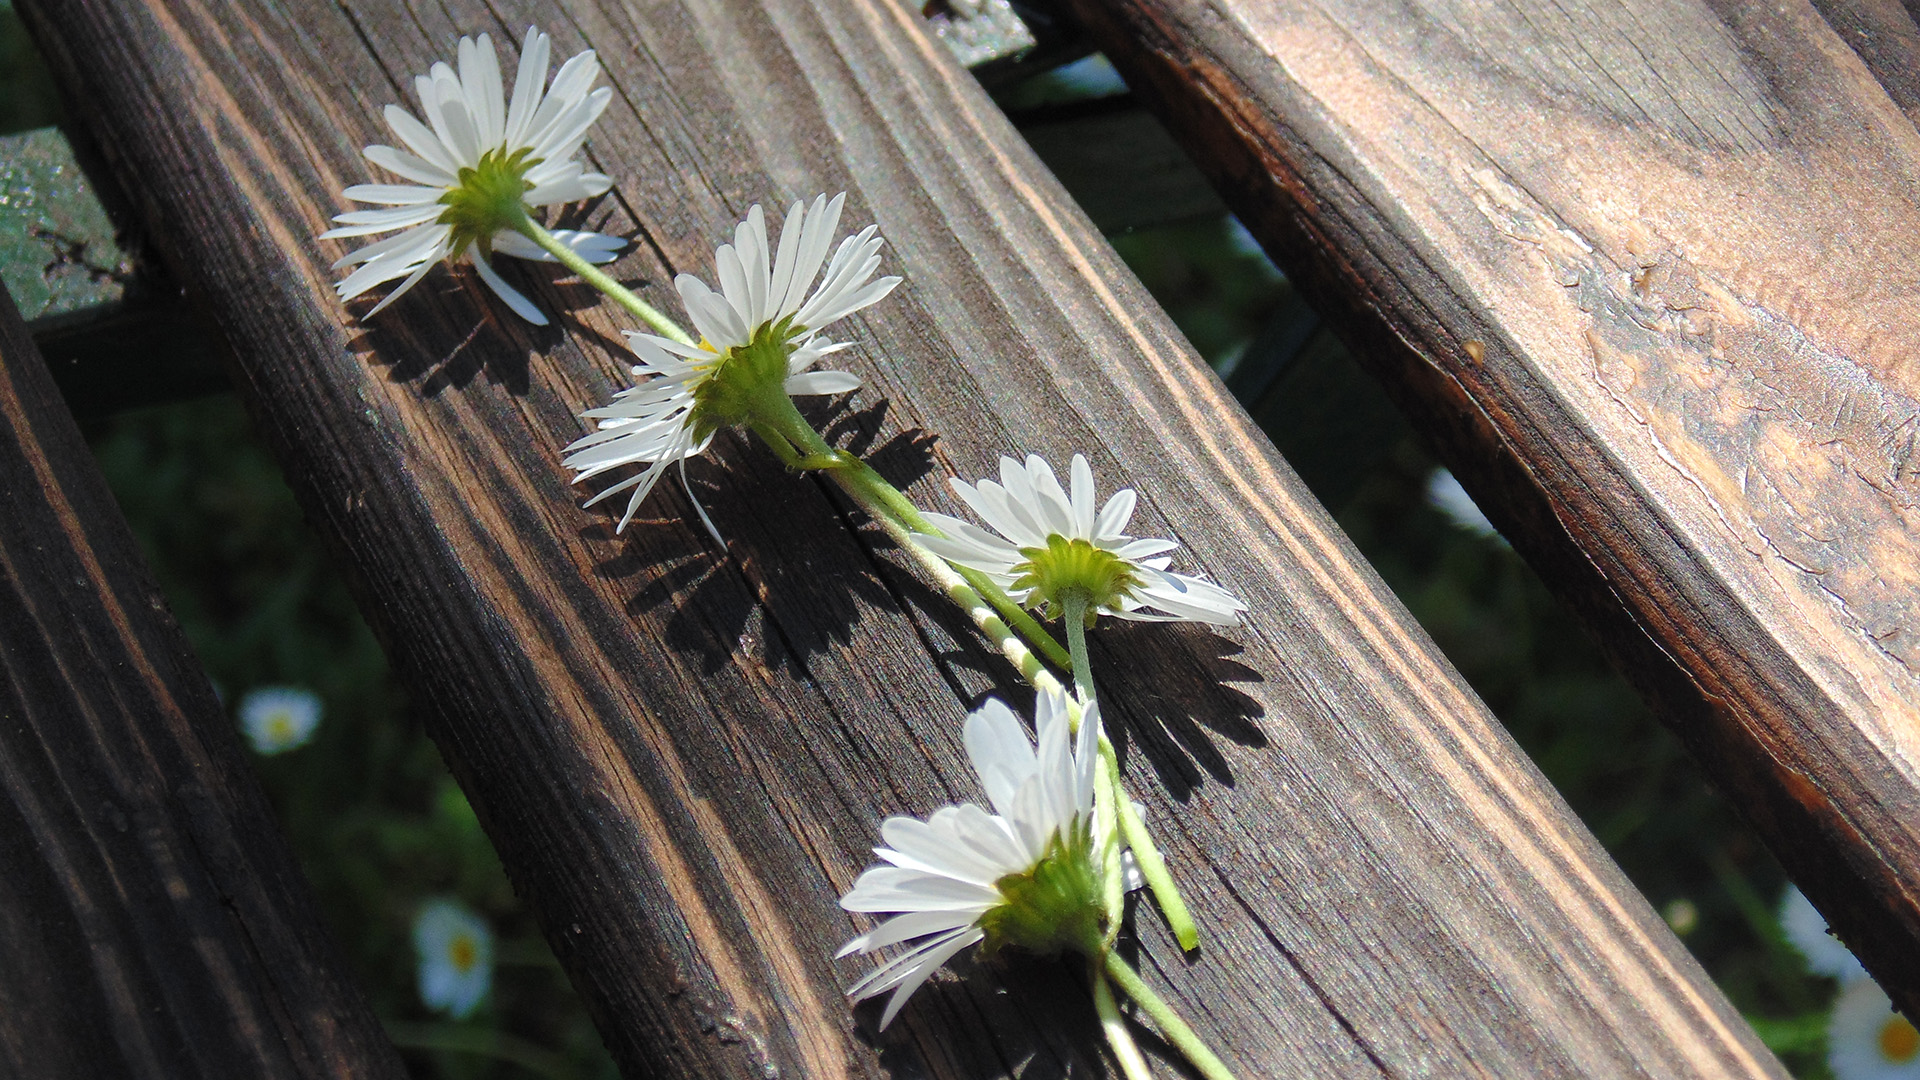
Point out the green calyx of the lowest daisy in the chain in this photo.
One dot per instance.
(1055, 906)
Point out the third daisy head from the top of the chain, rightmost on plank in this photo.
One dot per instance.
(1053, 543)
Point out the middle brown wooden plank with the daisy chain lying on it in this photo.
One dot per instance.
(683, 754)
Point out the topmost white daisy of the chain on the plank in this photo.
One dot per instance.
(477, 166)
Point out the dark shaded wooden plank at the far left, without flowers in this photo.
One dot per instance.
(153, 921)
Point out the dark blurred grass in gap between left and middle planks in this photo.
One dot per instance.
(372, 812)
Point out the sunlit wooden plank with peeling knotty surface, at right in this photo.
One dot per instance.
(1650, 278)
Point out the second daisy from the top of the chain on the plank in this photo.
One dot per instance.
(759, 343)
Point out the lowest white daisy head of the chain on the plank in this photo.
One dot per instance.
(1026, 875)
